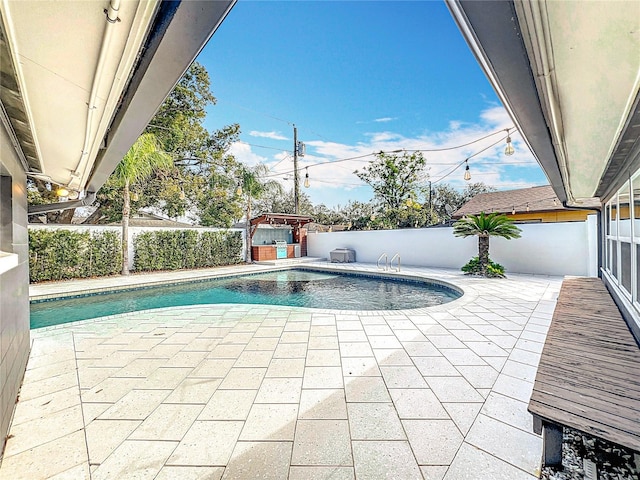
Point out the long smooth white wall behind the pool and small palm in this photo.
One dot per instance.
(564, 248)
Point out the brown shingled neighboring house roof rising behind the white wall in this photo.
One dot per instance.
(534, 199)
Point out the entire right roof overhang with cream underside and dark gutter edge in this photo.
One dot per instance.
(569, 76)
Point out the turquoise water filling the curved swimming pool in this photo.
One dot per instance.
(301, 288)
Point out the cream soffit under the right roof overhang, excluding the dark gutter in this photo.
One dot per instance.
(586, 62)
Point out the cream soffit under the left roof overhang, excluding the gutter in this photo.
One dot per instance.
(55, 50)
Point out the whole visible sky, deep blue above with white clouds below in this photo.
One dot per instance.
(355, 78)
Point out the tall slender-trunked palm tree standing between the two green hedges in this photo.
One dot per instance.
(138, 164)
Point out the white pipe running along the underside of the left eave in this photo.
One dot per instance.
(111, 15)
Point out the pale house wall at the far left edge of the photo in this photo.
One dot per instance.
(14, 283)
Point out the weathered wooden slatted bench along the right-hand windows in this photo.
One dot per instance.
(589, 373)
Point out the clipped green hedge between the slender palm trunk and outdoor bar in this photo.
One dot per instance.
(176, 249)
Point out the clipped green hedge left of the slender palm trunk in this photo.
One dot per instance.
(64, 254)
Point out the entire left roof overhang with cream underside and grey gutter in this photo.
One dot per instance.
(81, 80)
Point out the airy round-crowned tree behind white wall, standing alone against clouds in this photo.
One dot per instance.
(395, 179)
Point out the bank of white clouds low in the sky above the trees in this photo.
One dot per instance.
(331, 164)
